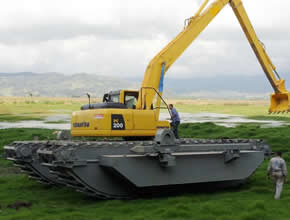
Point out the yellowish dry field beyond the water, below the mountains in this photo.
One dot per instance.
(38, 108)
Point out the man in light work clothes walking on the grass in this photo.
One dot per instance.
(277, 168)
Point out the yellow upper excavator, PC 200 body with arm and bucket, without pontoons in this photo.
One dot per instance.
(118, 115)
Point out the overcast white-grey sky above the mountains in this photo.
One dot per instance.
(118, 38)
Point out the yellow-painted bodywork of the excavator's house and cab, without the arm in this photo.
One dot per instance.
(136, 122)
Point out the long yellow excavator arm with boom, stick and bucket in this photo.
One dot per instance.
(157, 68)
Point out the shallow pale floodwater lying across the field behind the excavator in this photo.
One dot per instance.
(63, 121)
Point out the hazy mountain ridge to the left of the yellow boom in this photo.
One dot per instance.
(56, 84)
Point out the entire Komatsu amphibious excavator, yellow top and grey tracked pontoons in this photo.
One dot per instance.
(130, 168)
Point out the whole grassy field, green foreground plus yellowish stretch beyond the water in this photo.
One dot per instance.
(253, 200)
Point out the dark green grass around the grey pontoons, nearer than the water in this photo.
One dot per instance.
(254, 200)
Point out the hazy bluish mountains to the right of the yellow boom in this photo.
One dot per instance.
(224, 86)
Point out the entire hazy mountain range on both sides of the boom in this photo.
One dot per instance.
(57, 84)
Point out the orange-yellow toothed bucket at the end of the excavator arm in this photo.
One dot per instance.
(280, 103)
